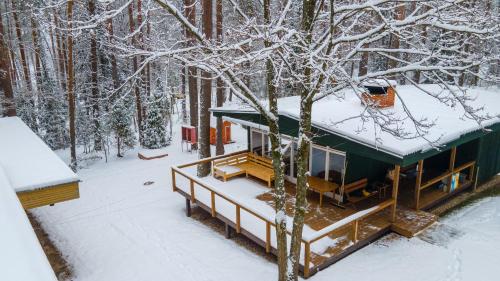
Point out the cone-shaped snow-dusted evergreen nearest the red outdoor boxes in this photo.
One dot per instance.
(154, 131)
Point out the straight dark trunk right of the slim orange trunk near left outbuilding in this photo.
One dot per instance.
(94, 87)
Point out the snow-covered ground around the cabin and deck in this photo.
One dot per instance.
(121, 229)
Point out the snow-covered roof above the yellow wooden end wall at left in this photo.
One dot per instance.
(27, 161)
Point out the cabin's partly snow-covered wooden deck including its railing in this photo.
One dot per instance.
(338, 231)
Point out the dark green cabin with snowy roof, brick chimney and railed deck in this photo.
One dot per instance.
(364, 182)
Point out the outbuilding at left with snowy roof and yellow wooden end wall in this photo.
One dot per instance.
(36, 173)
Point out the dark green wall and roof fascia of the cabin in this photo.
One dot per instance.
(364, 161)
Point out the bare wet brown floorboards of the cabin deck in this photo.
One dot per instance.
(408, 223)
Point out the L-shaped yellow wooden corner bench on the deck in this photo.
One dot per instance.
(248, 164)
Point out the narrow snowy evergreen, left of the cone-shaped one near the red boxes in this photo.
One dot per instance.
(121, 126)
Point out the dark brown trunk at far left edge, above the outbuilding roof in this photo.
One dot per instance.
(8, 104)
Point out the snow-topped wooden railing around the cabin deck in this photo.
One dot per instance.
(352, 220)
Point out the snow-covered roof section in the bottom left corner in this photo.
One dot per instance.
(21, 256)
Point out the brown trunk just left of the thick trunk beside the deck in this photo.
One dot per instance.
(190, 12)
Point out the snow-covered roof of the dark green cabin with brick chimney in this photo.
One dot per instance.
(449, 122)
